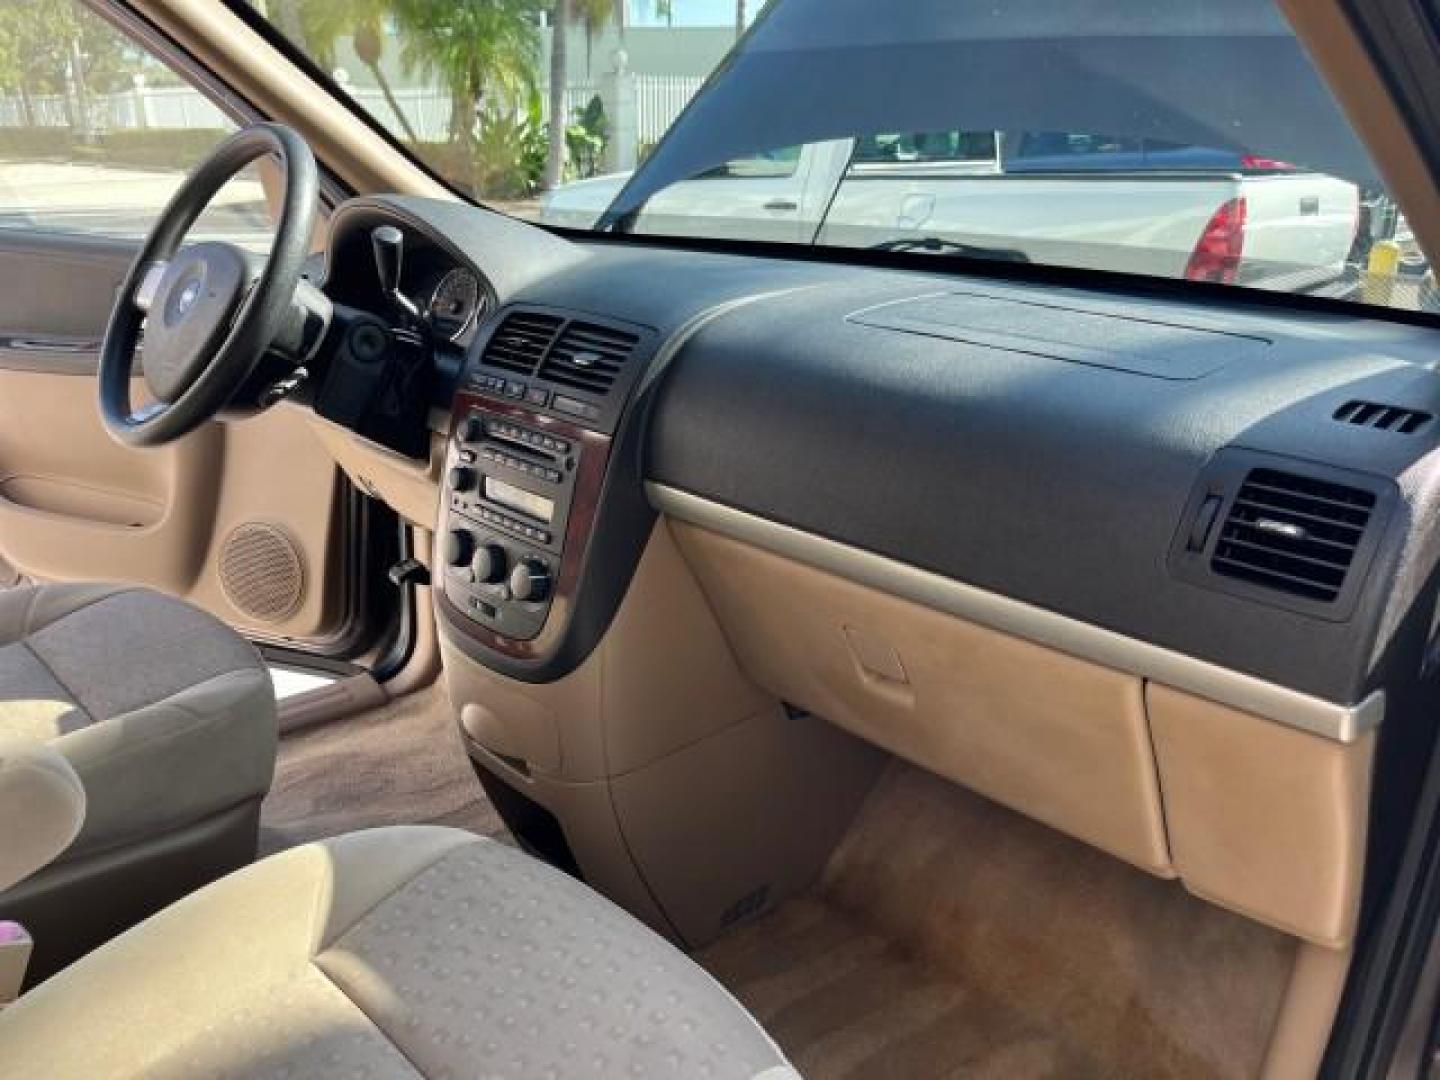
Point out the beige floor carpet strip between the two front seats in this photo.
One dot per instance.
(398, 765)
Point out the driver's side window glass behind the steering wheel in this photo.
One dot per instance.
(97, 135)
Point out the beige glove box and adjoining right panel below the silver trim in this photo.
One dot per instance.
(1251, 813)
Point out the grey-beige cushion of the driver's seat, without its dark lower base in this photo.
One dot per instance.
(165, 712)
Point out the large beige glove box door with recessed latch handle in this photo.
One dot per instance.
(1059, 739)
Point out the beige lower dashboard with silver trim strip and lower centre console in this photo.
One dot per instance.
(667, 758)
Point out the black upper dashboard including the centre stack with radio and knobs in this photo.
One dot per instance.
(1052, 451)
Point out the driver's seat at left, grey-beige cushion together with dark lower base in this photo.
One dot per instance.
(169, 719)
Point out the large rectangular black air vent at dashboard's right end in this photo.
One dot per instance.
(1294, 534)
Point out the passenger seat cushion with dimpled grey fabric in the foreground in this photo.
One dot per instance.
(401, 953)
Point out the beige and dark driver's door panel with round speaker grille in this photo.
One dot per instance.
(77, 506)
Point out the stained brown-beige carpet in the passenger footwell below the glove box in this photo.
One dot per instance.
(953, 938)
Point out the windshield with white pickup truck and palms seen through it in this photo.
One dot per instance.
(1157, 138)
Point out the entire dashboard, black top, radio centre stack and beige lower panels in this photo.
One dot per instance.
(1125, 506)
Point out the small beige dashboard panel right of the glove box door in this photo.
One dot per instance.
(1264, 820)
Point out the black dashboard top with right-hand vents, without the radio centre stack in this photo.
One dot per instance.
(1048, 444)
